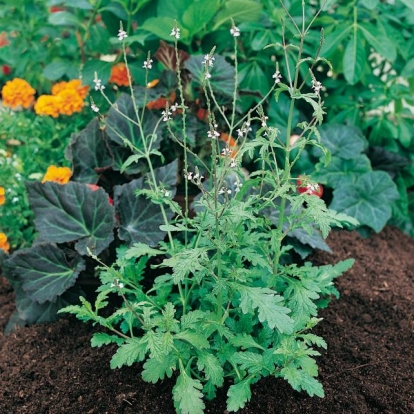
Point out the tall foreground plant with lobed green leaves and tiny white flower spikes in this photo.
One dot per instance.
(226, 303)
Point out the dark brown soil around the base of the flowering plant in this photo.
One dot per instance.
(368, 367)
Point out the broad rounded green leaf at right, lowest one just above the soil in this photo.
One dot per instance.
(369, 199)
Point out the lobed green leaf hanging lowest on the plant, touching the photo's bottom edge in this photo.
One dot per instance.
(188, 399)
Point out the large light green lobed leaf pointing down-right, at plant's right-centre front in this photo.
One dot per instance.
(267, 303)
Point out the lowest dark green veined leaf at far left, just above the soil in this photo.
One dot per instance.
(45, 271)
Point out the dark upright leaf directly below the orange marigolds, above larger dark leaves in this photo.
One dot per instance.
(89, 153)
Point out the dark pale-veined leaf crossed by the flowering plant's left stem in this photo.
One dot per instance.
(141, 218)
